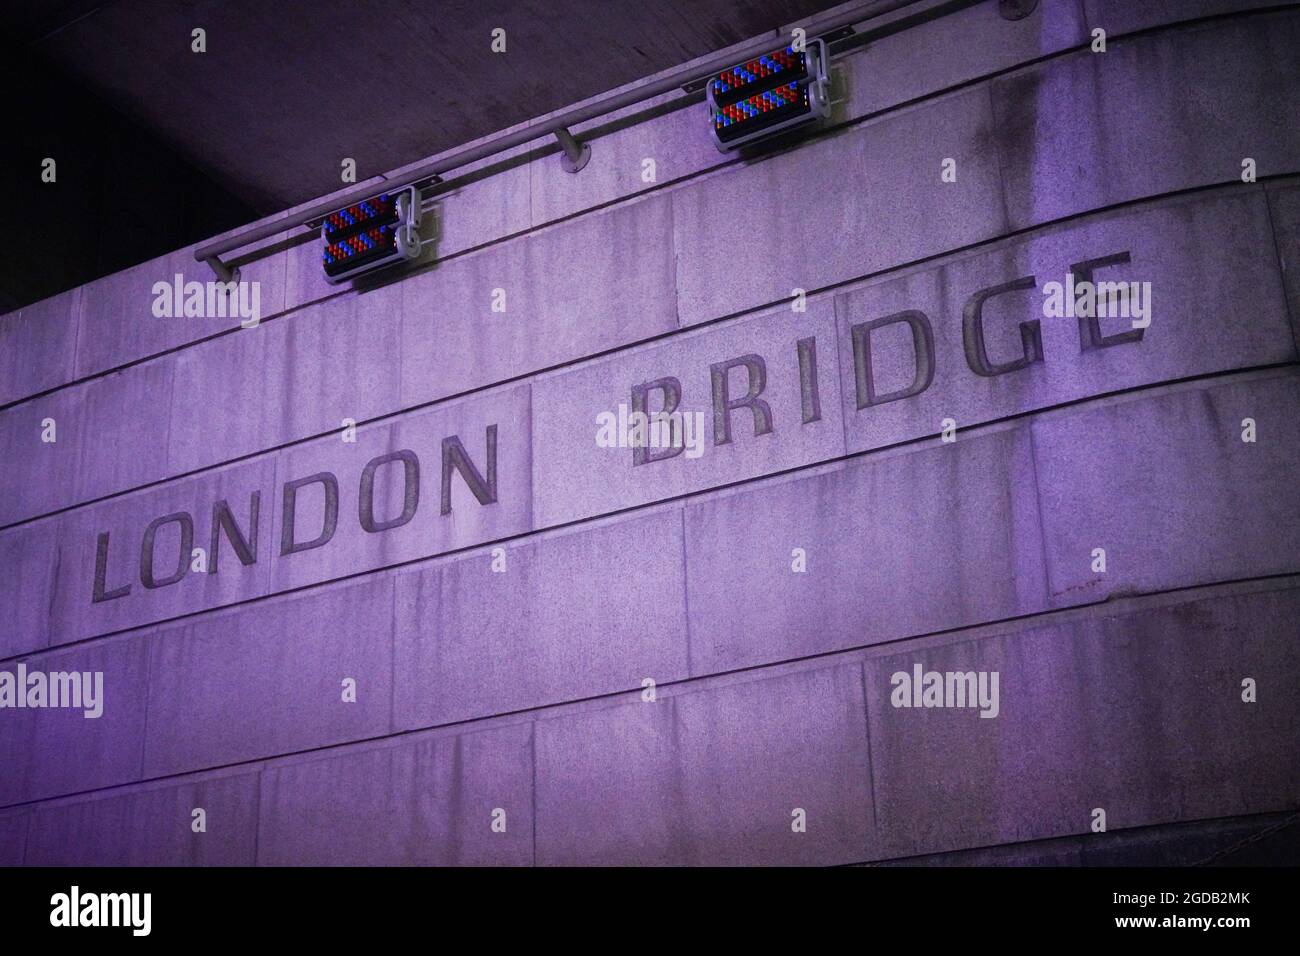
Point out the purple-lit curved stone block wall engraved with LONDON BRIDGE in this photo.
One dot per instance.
(501, 629)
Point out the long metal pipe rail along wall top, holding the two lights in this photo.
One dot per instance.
(557, 126)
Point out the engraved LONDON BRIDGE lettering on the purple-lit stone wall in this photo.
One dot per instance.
(483, 485)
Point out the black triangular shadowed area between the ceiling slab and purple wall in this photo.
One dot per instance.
(120, 196)
